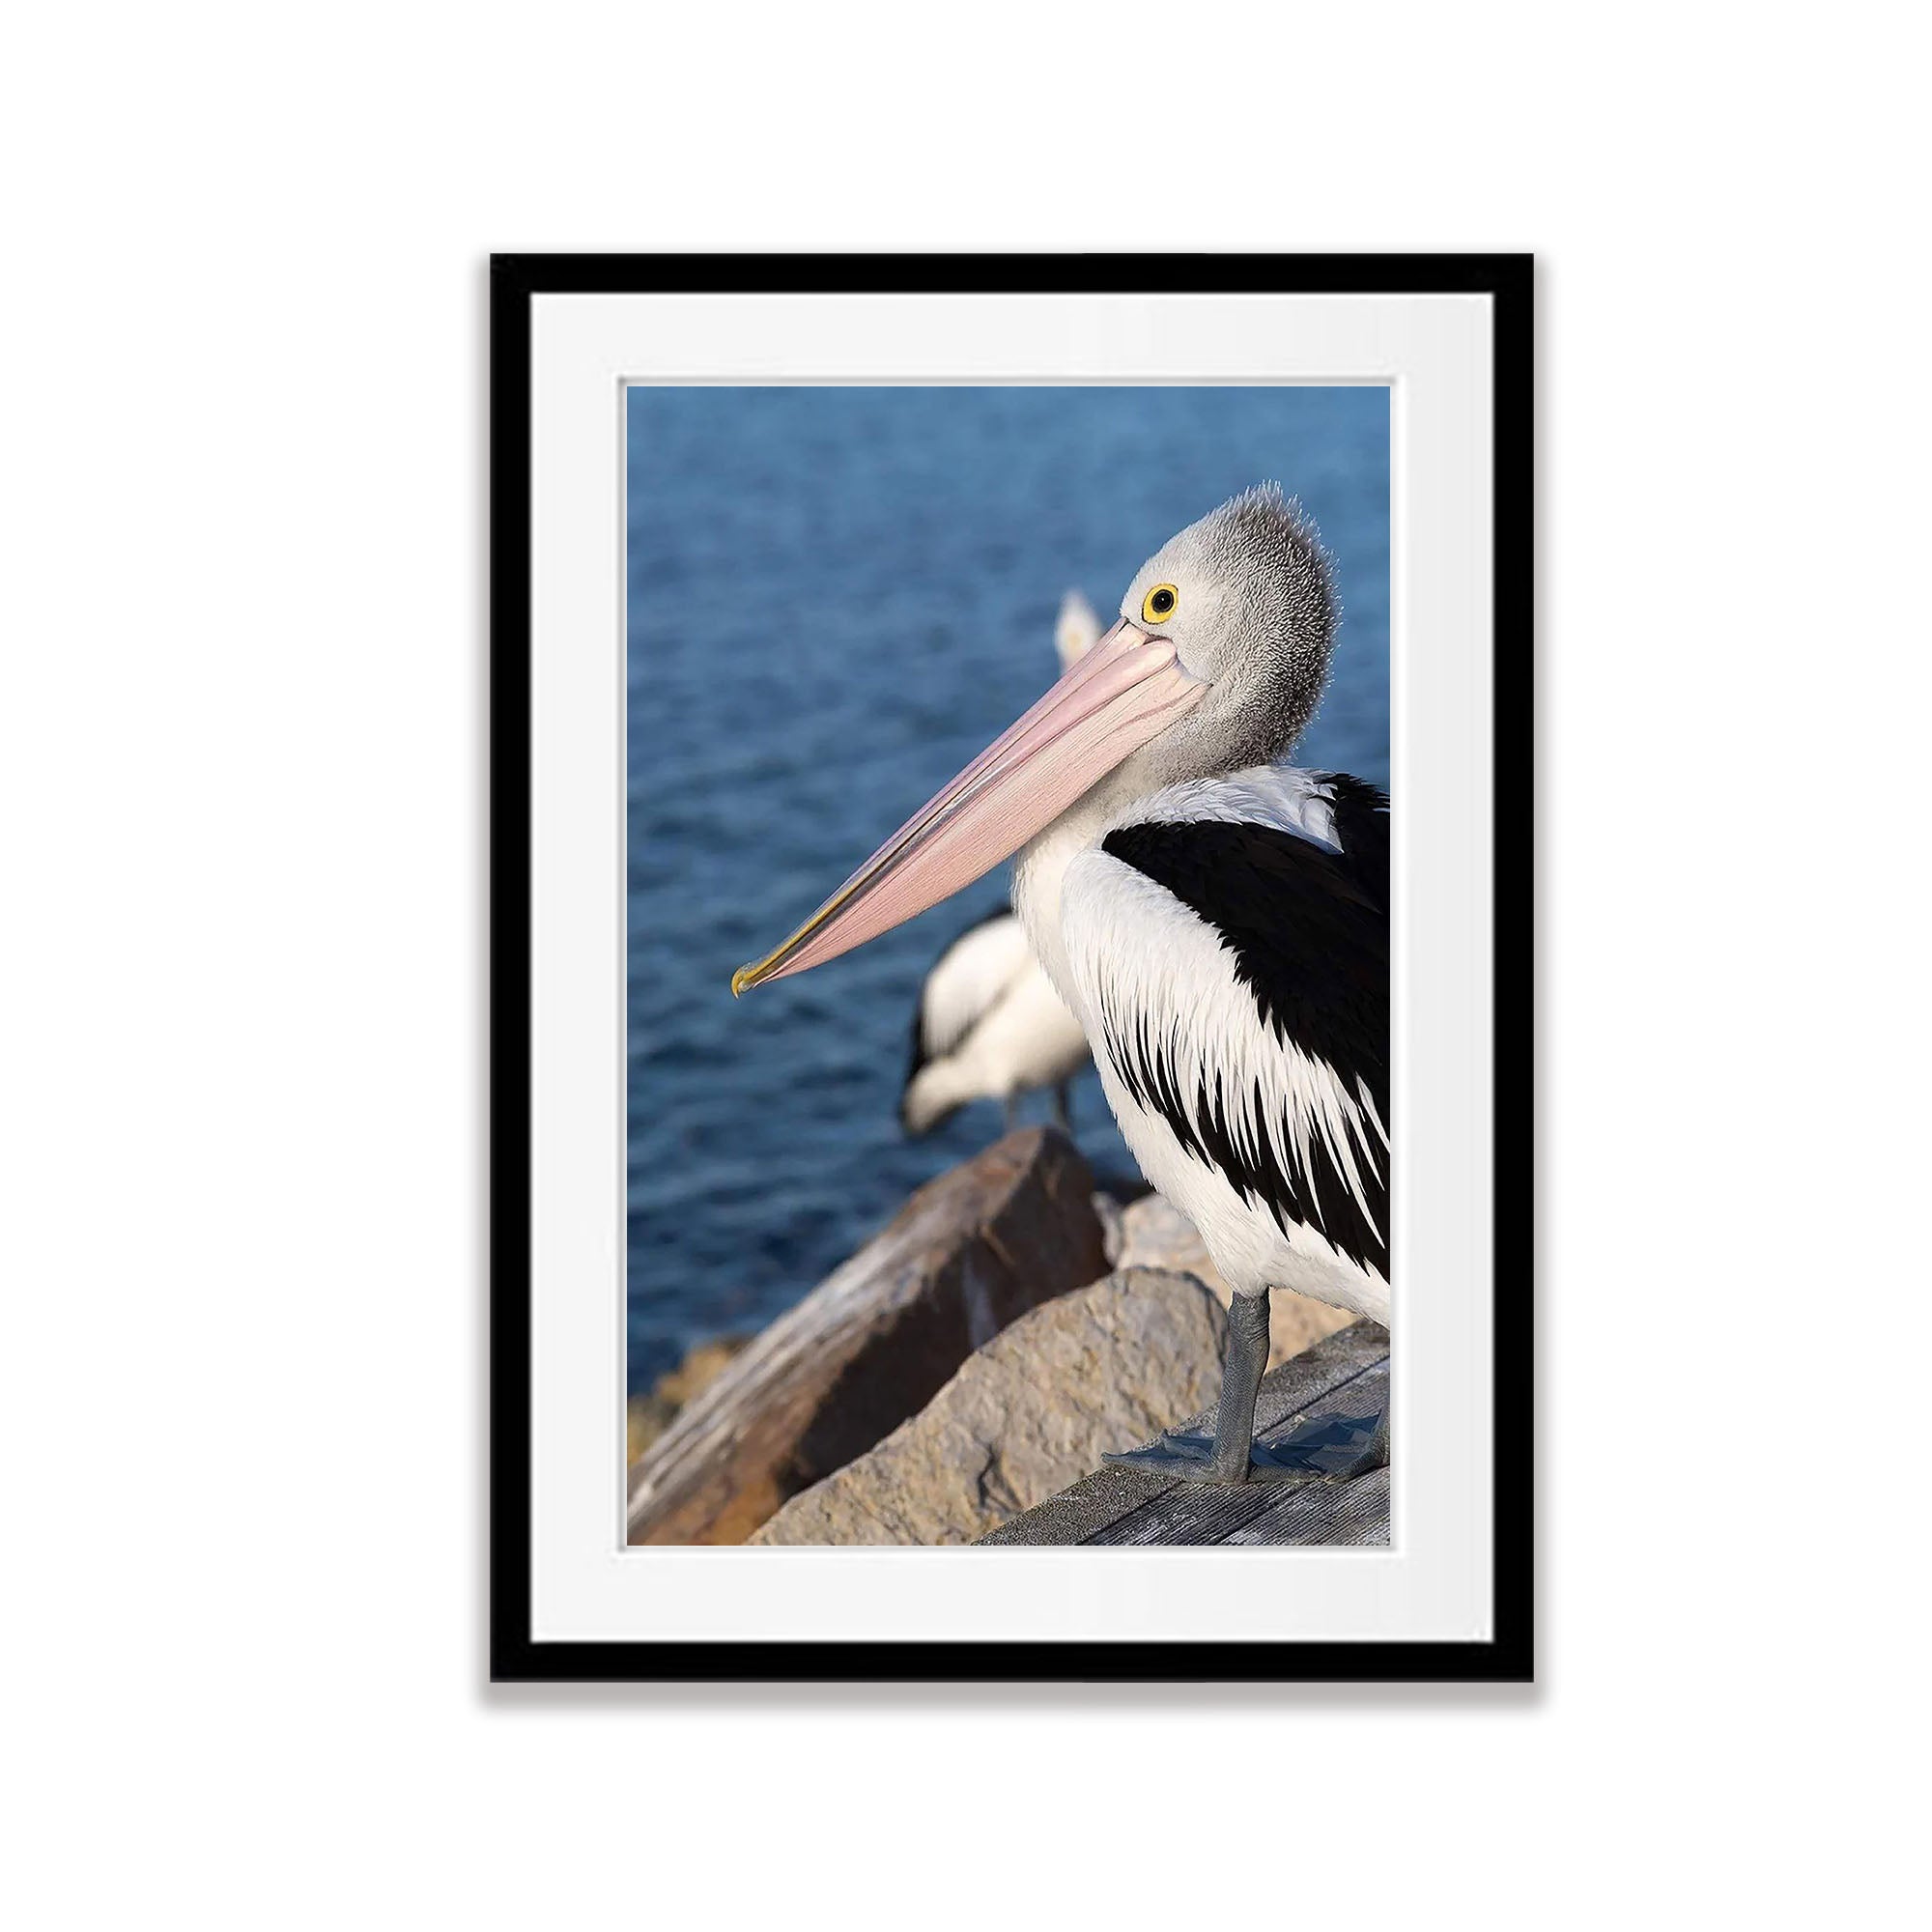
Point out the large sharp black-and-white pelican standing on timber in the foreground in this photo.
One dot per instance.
(1214, 917)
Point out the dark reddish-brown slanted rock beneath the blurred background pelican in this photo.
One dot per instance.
(874, 1344)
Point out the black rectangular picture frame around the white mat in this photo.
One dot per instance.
(515, 1655)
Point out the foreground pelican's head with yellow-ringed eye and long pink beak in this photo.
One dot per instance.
(1218, 664)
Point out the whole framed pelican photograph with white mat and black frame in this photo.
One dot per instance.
(1011, 969)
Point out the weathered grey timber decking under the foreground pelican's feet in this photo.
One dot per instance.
(1326, 1398)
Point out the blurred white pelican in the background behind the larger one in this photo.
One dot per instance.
(990, 1025)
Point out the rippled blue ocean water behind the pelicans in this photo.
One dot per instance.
(836, 600)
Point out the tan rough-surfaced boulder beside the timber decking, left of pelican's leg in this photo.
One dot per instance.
(1027, 1417)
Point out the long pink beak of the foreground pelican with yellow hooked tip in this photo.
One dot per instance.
(1123, 693)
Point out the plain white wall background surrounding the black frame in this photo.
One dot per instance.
(241, 795)
